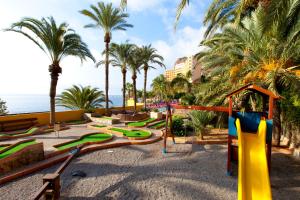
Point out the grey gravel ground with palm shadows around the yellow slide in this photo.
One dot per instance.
(142, 172)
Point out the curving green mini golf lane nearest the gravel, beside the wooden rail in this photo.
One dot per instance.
(89, 138)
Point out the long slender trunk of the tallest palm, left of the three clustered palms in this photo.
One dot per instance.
(107, 41)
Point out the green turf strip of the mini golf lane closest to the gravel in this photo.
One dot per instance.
(97, 137)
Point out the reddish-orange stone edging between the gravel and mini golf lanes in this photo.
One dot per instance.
(62, 156)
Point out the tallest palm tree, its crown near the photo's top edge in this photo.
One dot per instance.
(108, 19)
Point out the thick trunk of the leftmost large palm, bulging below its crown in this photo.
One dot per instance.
(54, 70)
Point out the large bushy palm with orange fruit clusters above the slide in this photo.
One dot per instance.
(248, 53)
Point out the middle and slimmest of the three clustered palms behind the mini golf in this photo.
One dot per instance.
(135, 63)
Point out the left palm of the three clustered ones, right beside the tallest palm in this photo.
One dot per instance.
(120, 54)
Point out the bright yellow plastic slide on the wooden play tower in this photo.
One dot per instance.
(253, 173)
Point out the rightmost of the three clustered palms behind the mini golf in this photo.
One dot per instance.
(149, 57)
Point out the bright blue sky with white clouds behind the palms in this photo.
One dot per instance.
(24, 67)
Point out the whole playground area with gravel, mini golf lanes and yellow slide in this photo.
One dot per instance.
(129, 160)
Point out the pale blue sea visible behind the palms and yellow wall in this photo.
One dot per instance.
(27, 103)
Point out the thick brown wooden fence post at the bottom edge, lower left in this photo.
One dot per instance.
(53, 189)
